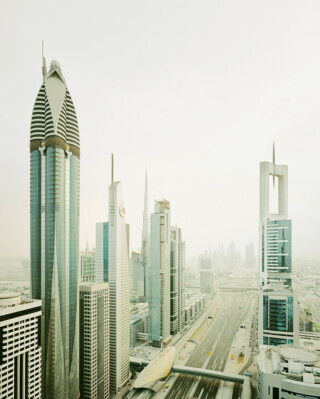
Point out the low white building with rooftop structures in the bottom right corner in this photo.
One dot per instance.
(287, 372)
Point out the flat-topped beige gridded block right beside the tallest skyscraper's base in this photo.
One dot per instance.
(94, 340)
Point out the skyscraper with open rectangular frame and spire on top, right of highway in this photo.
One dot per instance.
(278, 305)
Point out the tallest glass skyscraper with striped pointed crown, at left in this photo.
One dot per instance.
(54, 231)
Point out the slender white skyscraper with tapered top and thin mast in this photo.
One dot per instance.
(118, 272)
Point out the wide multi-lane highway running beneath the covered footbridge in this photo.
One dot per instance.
(217, 341)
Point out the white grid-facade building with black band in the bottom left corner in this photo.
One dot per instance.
(20, 350)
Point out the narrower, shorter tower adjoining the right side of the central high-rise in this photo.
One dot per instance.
(177, 290)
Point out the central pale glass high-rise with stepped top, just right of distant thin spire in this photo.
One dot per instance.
(159, 275)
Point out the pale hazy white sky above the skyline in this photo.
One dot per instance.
(196, 91)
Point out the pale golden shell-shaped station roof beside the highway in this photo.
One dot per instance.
(157, 369)
